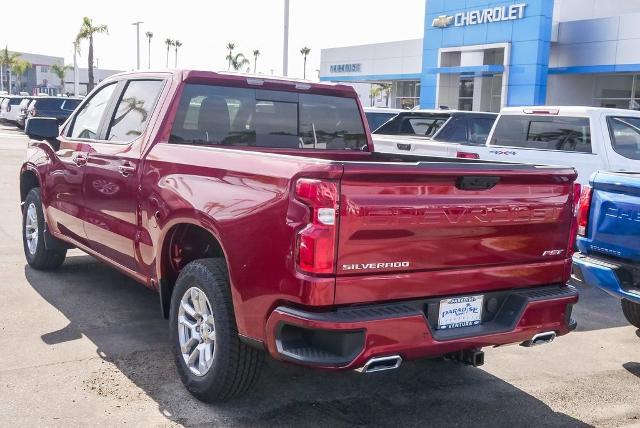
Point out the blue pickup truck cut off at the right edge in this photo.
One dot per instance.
(609, 238)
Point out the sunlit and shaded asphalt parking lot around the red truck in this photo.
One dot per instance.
(86, 346)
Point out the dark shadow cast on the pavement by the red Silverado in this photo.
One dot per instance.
(122, 319)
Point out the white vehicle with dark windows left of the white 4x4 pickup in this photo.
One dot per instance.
(433, 132)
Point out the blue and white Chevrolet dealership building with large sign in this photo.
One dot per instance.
(483, 55)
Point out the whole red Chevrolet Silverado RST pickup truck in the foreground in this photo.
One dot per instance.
(258, 211)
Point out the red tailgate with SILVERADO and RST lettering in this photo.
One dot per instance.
(415, 220)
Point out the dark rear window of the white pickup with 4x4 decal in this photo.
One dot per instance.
(571, 134)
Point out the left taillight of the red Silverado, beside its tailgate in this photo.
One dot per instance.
(316, 243)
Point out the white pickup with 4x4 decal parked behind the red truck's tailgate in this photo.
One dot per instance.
(589, 139)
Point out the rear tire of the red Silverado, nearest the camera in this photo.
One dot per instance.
(234, 366)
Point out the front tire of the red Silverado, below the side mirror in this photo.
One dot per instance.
(37, 255)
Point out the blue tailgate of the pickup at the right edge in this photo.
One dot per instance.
(614, 223)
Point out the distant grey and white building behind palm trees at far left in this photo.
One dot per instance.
(40, 79)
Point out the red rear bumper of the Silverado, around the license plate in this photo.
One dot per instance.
(348, 337)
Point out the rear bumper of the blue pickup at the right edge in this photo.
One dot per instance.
(604, 274)
